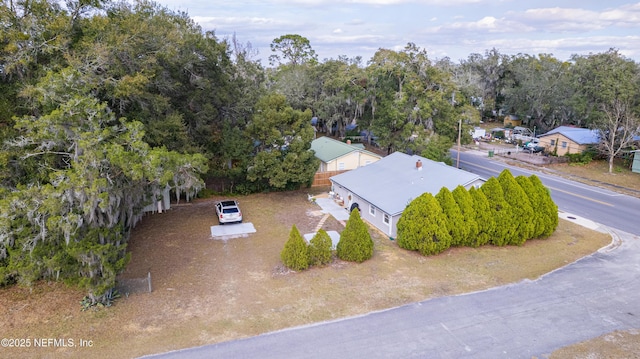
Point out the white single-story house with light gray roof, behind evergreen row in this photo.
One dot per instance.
(383, 189)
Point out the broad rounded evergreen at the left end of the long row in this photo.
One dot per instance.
(423, 226)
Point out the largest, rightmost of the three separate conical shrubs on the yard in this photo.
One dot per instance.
(355, 243)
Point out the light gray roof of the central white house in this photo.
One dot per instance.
(393, 182)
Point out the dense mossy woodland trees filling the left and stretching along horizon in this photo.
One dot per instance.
(103, 105)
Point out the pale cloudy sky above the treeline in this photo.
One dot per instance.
(444, 28)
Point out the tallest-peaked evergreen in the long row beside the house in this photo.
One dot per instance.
(521, 210)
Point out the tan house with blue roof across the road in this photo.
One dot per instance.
(569, 139)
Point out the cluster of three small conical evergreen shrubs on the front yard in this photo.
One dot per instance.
(355, 245)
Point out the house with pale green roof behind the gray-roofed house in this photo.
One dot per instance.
(336, 155)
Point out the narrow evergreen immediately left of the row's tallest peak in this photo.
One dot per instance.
(500, 211)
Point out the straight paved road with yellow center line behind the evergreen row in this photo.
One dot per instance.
(600, 205)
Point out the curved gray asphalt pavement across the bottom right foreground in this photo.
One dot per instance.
(593, 296)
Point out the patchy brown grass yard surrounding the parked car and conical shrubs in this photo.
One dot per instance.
(208, 291)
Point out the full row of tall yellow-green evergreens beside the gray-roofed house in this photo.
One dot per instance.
(503, 211)
